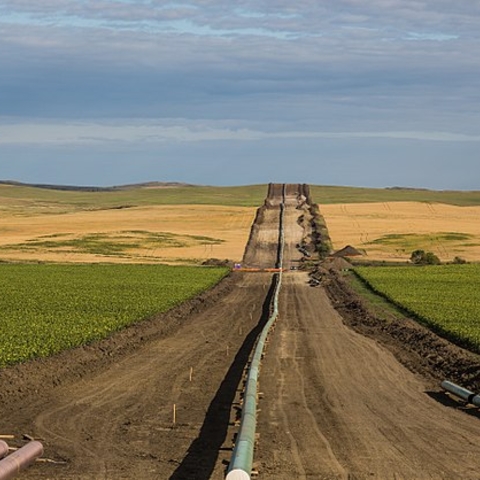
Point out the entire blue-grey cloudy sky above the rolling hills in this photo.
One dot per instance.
(374, 93)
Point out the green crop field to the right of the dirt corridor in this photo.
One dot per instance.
(445, 297)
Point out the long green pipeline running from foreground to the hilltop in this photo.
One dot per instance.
(241, 463)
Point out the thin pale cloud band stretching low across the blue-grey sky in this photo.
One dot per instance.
(129, 132)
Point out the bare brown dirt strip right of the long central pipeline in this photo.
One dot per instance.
(339, 405)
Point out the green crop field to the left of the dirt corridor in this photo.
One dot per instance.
(47, 308)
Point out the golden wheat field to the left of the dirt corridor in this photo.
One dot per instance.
(167, 234)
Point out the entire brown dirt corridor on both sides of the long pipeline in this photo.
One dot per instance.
(341, 397)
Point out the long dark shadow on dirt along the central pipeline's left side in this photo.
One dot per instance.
(202, 455)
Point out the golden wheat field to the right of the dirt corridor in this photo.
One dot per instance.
(393, 230)
